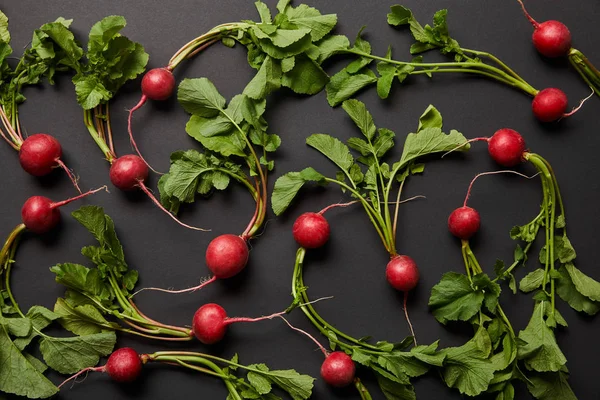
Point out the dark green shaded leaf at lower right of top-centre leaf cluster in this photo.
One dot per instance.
(307, 77)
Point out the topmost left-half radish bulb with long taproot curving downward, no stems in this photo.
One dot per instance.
(157, 84)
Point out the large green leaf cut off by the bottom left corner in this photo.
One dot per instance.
(18, 376)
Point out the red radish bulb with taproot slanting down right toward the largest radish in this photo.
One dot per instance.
(129, 172)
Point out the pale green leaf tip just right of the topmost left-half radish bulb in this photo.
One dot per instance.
(200, 97)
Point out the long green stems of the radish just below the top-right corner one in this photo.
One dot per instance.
(469, 67)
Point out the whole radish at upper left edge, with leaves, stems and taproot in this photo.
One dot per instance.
(40, 153)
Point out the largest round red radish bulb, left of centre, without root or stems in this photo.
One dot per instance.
(227, 255)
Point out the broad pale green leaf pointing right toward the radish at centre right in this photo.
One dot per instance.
(429, 141)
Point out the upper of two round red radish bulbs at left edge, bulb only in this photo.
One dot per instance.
(39, 154)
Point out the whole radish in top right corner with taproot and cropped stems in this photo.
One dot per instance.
(552, 39)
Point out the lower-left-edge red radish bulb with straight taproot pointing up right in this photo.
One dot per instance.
(40, 214)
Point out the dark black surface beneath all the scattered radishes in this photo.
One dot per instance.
(351, 266)
